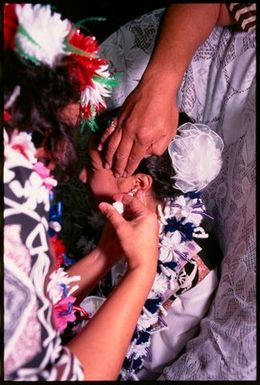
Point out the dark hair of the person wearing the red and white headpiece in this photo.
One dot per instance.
(44, 92)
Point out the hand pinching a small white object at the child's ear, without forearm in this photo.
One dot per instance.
(138, 236)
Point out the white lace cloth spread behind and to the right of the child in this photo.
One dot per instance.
(218, 89)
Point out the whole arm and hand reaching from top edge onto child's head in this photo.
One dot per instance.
(148, 118)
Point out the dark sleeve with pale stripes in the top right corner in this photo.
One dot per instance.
(244, 15)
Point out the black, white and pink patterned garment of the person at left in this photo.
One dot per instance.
(33, 349)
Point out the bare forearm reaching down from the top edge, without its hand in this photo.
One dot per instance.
(184, 28)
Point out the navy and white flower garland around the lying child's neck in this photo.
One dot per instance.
(179, 225)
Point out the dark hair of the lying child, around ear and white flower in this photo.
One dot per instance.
(159, 167)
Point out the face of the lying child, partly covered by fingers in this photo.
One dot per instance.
(101, 181)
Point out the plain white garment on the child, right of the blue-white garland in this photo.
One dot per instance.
(183, 321)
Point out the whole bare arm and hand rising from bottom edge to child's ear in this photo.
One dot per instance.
(102, 344)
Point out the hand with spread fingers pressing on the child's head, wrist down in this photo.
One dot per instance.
(145, 125)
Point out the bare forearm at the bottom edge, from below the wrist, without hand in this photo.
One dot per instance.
(102, 345)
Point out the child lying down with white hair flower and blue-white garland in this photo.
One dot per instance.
(188, 256)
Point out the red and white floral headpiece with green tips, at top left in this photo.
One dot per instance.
(41, 36)
